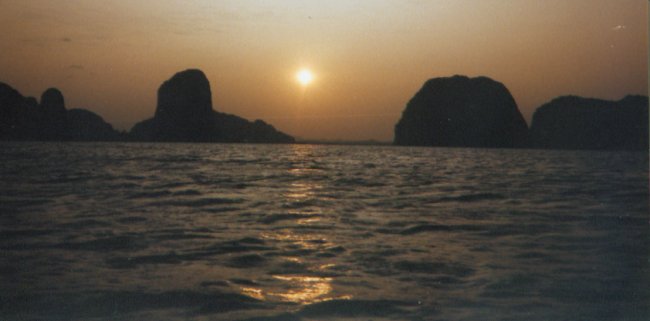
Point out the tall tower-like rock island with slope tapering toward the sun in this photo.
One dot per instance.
(184, 113)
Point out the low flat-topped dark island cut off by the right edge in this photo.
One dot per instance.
(572, 122)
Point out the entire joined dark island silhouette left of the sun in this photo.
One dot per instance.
(184, 114)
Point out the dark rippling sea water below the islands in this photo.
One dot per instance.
(300, 232)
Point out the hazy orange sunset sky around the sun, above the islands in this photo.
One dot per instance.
(369, 57)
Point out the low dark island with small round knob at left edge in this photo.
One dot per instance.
(24, 119)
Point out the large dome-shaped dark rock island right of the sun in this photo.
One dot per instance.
(462, 112)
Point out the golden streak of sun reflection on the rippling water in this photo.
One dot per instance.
(304, 285)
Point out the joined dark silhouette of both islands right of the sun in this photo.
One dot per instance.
(479, 112)
